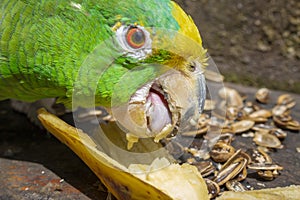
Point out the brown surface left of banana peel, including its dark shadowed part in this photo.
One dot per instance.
(32, 164)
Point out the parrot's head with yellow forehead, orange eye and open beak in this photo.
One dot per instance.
(163, 60)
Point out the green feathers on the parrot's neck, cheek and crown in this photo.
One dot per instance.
(45, 46)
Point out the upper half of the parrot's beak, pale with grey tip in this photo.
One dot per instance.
(187, 93)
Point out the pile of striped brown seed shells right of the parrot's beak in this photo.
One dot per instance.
(224, 167)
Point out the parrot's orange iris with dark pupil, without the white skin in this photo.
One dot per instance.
(135, 37)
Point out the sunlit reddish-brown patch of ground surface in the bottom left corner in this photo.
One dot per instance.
(27, 180)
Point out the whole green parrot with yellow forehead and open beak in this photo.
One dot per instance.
(143, 60)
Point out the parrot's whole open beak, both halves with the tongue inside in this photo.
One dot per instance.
(169, 105)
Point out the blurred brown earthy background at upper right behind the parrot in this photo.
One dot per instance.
(253, 42)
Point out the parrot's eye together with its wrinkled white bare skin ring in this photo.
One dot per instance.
(135, 41)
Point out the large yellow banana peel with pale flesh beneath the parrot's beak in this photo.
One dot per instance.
(171, 182)
